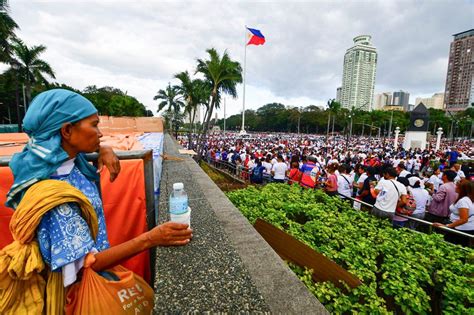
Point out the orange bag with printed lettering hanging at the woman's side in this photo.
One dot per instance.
(96, 295)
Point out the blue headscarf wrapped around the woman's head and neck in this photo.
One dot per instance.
(43, 154)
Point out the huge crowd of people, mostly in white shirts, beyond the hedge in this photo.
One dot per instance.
(433, 185)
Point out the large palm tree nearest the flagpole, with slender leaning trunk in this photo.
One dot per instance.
(222, 74)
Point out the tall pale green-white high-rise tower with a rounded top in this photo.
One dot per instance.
(358, 79)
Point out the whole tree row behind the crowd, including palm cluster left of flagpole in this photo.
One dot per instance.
(181, 101)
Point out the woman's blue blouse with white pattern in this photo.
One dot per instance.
(63, 235)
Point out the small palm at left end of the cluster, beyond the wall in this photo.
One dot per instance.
(173, 104)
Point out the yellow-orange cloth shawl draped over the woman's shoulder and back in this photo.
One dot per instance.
(22, 287)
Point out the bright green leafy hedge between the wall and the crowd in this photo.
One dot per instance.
(402, 271)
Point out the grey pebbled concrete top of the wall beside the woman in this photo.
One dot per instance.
(227, 267)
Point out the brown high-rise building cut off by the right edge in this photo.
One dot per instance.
(459, 91)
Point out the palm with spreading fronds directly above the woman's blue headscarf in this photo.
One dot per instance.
(31, 68)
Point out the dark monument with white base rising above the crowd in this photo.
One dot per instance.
(416, 135)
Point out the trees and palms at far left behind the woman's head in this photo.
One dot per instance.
(28, 75)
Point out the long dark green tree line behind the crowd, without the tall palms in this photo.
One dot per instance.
(277, 117)
